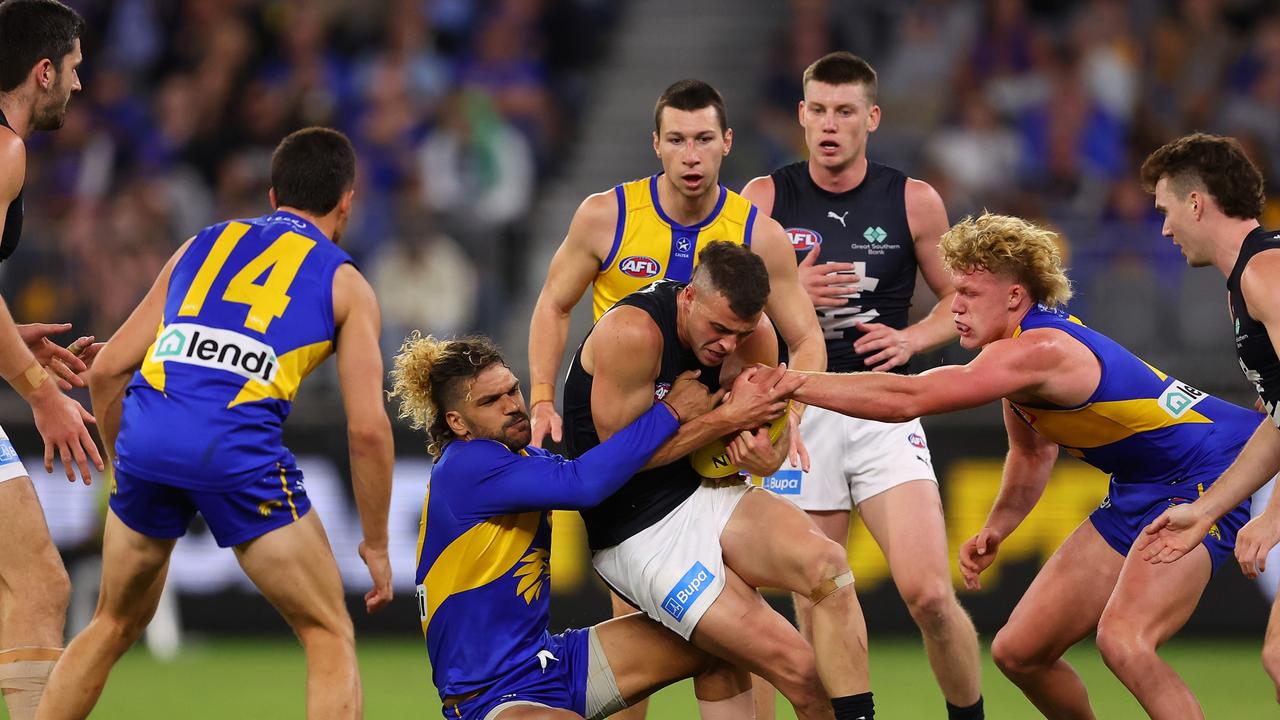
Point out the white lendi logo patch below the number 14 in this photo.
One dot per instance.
(217, 349)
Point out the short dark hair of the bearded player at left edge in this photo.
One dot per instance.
(31, 31)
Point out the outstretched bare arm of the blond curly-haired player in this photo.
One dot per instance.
(1003, 368)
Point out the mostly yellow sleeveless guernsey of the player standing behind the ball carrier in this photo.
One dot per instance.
(650, 247)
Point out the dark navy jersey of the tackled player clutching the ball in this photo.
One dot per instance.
(653, 494)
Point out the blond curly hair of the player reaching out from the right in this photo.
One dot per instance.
(1009, 247)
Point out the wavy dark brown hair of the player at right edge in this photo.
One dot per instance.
(1213, 162)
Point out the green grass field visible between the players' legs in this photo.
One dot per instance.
(264, 680)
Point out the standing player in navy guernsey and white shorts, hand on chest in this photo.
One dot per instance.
(874, 229)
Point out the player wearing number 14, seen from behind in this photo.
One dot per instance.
(193, 413)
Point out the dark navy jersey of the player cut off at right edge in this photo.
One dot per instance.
(1252, 343)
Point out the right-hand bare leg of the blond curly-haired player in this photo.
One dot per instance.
(1149, 605)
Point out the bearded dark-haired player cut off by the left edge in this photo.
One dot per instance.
(40, 51)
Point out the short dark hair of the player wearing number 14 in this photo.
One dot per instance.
(313, 168)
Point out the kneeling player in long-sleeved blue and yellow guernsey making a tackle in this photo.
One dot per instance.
(484, 549)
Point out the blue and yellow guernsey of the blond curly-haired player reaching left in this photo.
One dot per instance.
(1140, 425)
